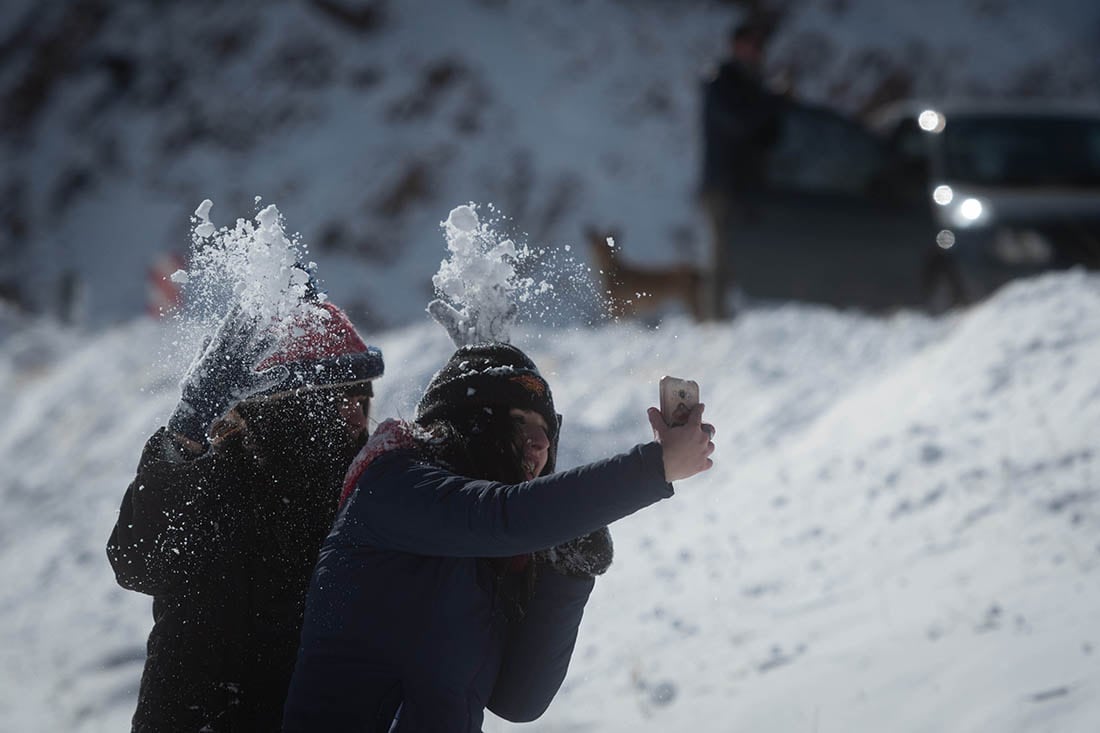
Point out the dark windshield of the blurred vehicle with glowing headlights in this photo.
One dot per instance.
(1022, 151)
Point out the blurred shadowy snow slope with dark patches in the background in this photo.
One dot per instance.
(366, 121)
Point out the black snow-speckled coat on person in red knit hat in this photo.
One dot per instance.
(225, 544)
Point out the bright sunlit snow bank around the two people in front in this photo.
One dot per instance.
(900, 533)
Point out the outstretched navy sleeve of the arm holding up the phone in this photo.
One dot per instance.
(406, 506)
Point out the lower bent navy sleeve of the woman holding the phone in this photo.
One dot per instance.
(540, 648)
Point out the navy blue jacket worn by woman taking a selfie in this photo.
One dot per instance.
(405, 610)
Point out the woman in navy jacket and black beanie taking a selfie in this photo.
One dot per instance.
(458, 570)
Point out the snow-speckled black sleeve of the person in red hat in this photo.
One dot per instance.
(168, 531)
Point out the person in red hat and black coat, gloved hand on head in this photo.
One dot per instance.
(227, 513)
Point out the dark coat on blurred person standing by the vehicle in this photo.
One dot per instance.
(742, 123)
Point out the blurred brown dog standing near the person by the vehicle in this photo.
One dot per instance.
(632, 291)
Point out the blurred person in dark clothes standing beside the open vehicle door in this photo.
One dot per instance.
(742, 125)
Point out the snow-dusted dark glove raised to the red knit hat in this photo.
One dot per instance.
(224, 376)
